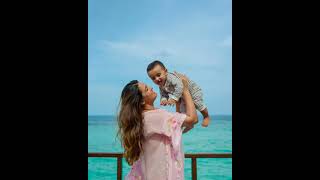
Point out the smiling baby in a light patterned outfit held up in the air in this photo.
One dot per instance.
(171, 88)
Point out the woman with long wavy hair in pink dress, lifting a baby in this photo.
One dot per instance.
(151, 137)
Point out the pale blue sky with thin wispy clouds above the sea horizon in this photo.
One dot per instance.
(193, 37)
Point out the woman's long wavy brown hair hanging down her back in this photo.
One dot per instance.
(130, 121)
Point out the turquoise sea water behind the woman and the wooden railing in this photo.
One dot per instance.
(217, 138)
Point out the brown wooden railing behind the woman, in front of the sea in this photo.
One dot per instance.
(193, 157)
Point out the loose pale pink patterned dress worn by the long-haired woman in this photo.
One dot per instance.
(162, 157)
